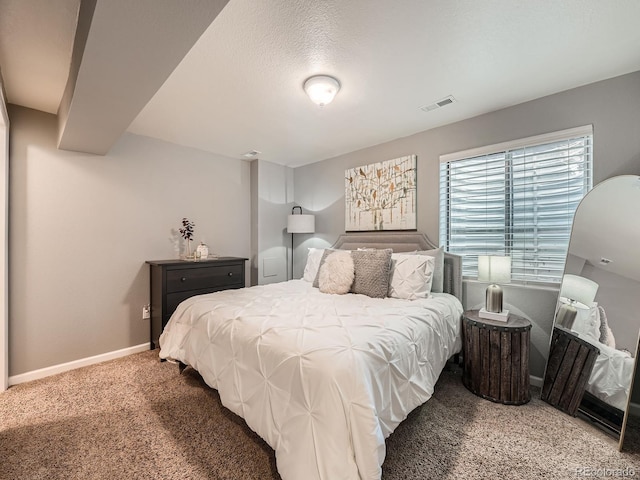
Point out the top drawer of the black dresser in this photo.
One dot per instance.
(189, 279)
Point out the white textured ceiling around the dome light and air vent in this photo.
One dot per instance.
(240, 87)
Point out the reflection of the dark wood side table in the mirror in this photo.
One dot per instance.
(571, 361)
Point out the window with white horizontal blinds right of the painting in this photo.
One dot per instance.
(517, 199)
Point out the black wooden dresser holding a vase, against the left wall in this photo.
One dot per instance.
(173, 281)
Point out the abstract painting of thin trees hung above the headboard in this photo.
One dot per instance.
(381, 196)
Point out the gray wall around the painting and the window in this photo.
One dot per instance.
(611, 106)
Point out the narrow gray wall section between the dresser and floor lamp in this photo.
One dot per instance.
(271, 202)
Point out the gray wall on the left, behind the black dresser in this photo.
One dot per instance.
(82, 226)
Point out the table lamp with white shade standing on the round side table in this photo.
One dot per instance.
(495, 269)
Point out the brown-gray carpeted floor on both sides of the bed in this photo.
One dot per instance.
(137, 418)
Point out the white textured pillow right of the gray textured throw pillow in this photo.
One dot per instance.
(411, 276)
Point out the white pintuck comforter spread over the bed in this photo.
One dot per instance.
(324, 379)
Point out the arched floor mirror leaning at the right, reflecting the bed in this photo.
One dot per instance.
(594, 344)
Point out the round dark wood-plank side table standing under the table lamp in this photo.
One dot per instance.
(496, 358)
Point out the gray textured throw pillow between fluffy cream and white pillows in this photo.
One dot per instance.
(372, 269)
